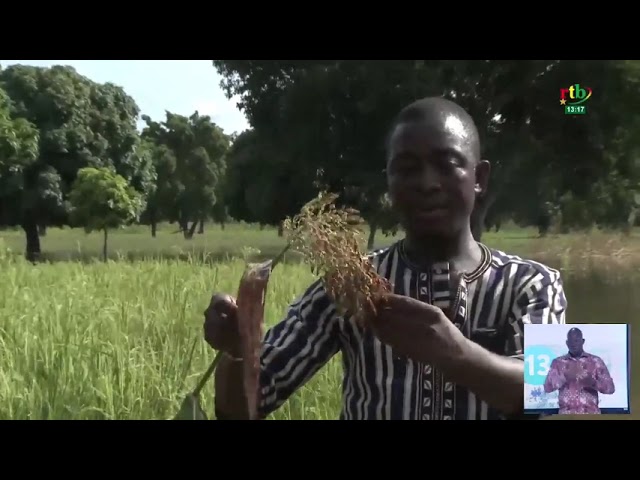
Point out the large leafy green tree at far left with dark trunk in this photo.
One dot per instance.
(80, 124)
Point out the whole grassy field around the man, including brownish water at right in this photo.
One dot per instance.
(93, 340)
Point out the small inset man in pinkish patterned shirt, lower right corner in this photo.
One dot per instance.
(579, 376)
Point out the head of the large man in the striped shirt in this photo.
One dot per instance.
(434, 169)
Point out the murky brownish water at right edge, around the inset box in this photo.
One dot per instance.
(608, 298)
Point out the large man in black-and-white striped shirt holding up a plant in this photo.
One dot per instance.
(415, 362)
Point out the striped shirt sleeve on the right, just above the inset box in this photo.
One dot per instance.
(540, 299)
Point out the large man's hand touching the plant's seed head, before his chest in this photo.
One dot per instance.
(416, 330)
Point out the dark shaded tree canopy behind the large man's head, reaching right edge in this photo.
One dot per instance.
(331, 115)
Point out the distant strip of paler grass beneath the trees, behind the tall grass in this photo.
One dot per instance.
(575, 251)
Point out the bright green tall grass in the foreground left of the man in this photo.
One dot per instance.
(113, 341)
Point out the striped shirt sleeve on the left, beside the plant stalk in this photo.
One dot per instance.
(297, 347)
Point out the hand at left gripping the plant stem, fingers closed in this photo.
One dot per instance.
(221, 325)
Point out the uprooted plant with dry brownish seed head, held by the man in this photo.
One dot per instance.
(329, 239)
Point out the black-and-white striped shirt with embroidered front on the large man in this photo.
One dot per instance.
(492, 305)
